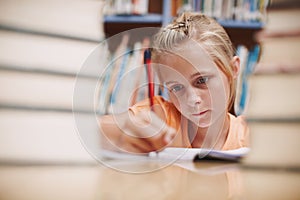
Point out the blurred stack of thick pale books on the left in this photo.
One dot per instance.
(43, 44)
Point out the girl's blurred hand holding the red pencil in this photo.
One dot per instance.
(137, 133)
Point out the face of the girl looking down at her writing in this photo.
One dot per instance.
(197, 87)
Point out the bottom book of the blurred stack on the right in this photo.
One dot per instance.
(274, 144)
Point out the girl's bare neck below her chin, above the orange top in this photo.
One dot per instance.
(213, 136)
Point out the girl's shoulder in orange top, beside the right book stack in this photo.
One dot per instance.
(238, 135)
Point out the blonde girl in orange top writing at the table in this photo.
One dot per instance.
(194, 59)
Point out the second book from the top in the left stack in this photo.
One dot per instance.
(40, 53)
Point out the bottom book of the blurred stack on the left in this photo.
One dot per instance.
(42, 137)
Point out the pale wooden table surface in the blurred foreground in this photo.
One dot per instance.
(147, 180)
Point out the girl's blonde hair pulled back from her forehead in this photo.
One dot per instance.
(205, 30)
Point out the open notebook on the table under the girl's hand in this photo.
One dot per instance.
(192, 154)
